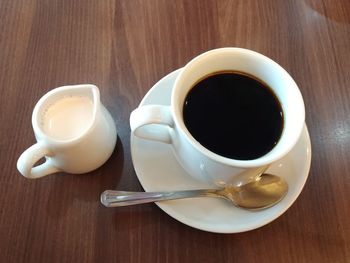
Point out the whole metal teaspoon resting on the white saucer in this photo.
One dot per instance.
(264, 192)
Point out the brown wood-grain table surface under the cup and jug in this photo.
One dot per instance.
(126, 46)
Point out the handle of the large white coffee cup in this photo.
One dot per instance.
(152, 122)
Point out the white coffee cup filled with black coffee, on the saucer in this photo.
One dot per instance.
(220, 143)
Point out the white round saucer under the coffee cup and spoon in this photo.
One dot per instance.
(158, 170)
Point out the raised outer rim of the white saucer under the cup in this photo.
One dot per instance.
(182, 217)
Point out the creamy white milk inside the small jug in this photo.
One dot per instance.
(68, 118)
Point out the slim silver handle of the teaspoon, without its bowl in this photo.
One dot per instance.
(112, 198)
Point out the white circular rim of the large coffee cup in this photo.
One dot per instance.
(262, 160)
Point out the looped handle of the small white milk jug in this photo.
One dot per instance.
(29, 157)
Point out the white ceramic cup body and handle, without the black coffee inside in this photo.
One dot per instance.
(165, 123)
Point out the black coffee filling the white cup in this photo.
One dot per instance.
(234, 115)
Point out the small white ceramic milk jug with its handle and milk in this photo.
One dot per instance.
(88, 148)
